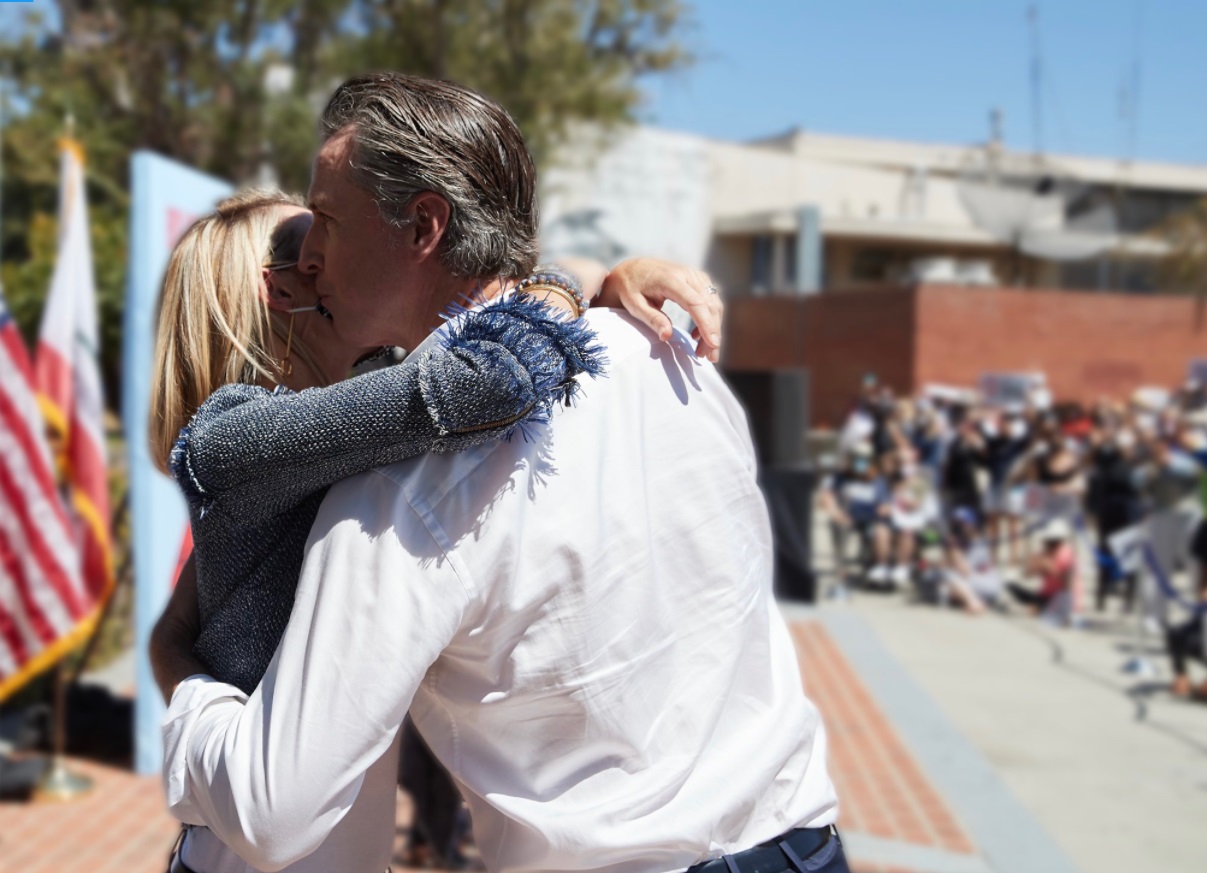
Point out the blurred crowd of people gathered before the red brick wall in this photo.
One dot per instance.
(977, 502)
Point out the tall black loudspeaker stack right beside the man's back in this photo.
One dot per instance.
(778, 409)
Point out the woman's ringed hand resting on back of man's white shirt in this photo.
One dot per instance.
(644, 284)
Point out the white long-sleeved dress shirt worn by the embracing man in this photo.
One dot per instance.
(581, 625)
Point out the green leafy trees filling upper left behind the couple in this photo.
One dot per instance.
(234, 88)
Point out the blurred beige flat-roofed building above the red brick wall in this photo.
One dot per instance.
(803, 212)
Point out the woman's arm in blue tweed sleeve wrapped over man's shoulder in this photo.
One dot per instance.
(258, 453)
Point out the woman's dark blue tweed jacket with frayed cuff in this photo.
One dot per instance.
(256, 464)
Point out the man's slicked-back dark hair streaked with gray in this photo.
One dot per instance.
(412, 135)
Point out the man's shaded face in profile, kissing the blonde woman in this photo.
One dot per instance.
(361, 272)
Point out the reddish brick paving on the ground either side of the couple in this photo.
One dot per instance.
(890, 811)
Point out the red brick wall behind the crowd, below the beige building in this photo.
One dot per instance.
(1089, 345)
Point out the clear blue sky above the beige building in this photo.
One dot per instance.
(931, 71)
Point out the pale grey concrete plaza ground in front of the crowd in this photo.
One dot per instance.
(1051, 755)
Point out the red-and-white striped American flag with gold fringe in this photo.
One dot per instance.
(44, 607)
